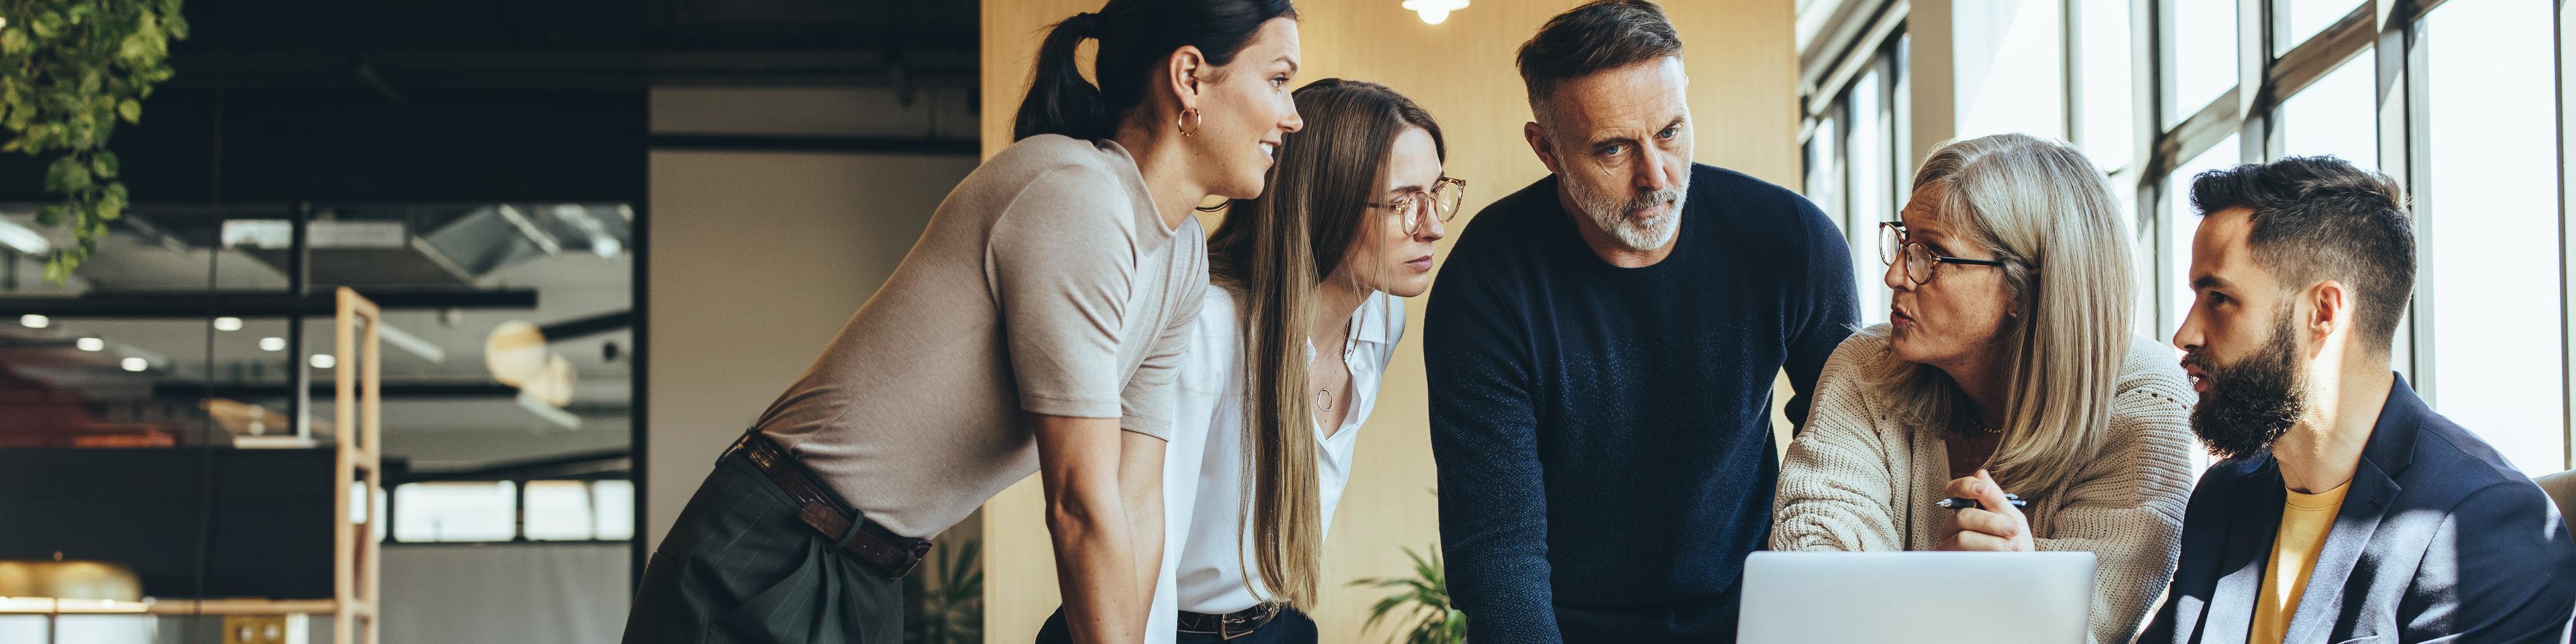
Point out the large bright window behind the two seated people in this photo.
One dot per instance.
(2459, 102)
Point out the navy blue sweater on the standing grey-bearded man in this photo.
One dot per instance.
(1604, 434)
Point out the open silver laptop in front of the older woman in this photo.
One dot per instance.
(1915, 596)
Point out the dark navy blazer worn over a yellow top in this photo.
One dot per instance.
(2438, 542)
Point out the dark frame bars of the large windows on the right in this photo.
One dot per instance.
(2392, 32)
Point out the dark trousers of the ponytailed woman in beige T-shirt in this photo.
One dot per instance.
(741, 568)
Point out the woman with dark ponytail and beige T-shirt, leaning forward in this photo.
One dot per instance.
(1034, 328)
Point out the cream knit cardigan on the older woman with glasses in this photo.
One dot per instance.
(1856, 480)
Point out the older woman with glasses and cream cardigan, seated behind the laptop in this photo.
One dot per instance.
(2008, 370)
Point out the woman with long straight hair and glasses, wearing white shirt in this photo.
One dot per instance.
(1287, 357)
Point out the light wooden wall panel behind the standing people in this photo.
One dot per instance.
(1745, 104)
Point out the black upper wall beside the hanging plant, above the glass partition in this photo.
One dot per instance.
(285, 102)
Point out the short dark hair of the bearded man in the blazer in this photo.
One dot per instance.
(2317, 220)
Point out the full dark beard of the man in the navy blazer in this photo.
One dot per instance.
(2255, 401)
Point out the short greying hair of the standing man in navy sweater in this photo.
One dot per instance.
(1593, 37)
